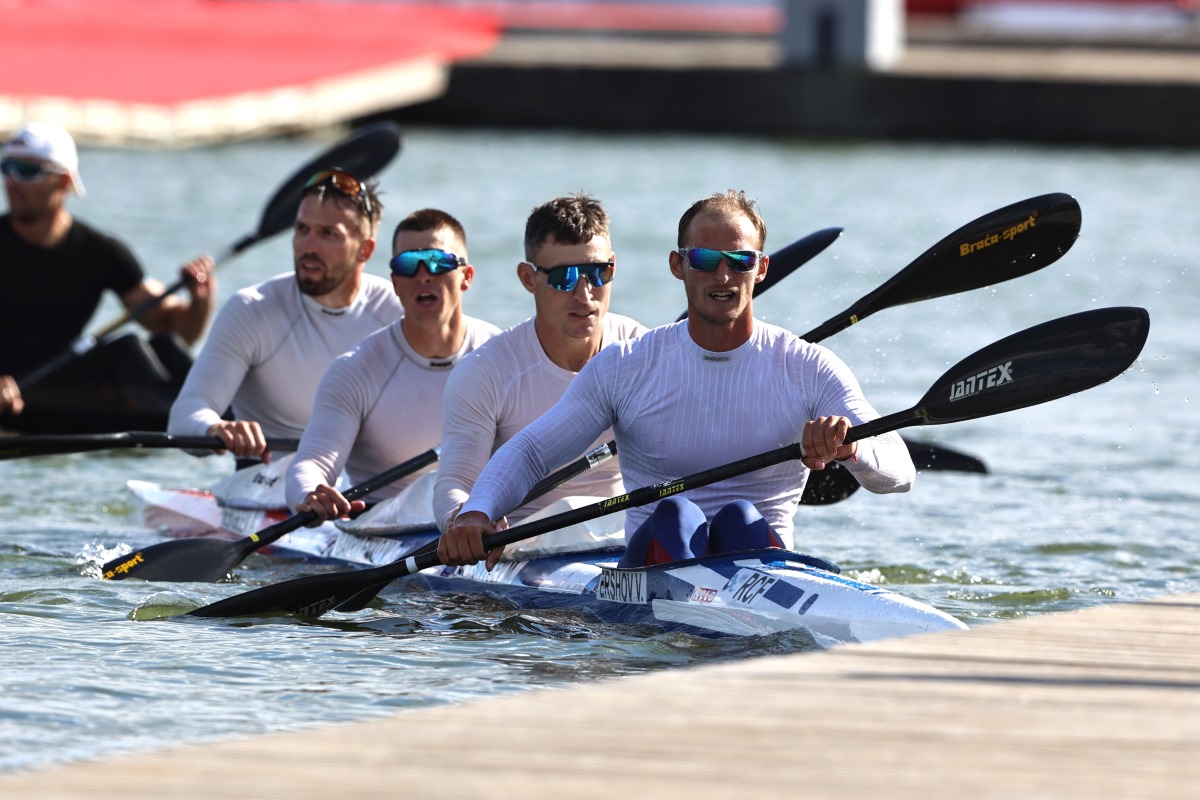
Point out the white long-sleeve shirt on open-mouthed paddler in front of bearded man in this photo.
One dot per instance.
(377, 407)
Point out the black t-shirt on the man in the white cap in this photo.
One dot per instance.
(49, 296)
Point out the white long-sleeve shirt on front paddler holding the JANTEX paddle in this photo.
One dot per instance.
(677, 410)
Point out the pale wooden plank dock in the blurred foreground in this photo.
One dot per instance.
(1100, 703)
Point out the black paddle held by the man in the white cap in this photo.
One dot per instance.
(364, 154)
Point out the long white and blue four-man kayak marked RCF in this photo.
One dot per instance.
(754, 593)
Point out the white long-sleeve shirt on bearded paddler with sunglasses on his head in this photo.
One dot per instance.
(267, 352)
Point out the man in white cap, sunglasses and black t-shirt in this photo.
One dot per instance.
(56, 268)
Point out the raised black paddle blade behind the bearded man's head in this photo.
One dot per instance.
(363, 155)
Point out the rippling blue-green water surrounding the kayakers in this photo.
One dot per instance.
(1090, 500)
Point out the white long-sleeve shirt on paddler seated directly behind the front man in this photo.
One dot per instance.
(497, 392)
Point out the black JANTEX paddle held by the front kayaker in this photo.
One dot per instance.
(1035, 366)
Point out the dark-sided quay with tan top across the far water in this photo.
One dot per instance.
(946, 88)
